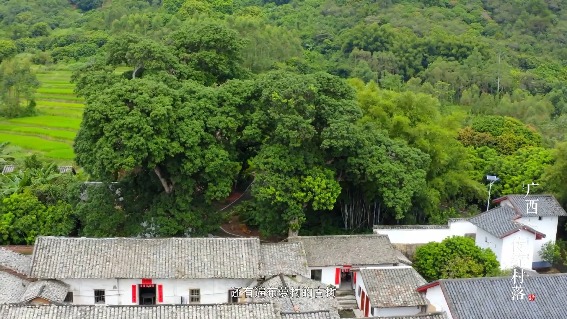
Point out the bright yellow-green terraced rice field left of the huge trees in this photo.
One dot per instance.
(51, 133)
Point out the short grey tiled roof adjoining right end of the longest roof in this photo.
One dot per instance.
(283, 258)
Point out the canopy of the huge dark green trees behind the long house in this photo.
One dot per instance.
(178, 133)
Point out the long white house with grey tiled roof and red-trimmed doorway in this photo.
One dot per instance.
(133, 271)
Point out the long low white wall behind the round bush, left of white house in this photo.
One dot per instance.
(417, 234)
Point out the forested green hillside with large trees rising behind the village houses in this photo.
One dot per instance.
(333, 115)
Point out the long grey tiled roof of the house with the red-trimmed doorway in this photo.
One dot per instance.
(181, 258)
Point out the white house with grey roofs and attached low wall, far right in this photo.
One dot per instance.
(515, 231)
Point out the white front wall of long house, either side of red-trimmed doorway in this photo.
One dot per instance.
(119, 291)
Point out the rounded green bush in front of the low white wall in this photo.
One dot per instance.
(455, 257)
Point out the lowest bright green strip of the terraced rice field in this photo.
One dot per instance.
(51, 149)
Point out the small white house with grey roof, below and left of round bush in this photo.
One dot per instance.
(386, 292)
